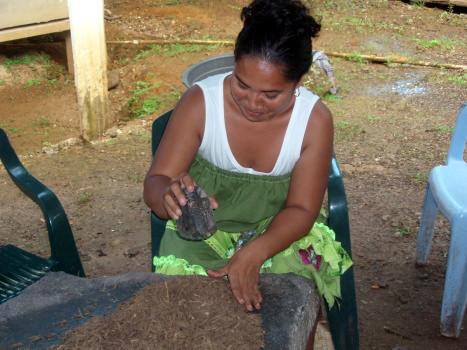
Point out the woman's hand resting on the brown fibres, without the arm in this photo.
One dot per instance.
(243, 274)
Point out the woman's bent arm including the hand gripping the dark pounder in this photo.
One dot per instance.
(168, 173)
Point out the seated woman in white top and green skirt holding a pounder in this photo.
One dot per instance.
(261, 146)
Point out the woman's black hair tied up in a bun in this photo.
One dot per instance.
(280, 32)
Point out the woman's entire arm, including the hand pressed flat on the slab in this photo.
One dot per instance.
(306, 192)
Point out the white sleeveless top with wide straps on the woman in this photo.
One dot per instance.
(215, 147)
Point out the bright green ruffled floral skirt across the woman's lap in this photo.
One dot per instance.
(316, 256)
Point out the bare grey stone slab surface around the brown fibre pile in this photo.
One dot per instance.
(44, 312)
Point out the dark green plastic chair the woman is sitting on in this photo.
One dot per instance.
(343, 320)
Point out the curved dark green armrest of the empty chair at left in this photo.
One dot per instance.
(62, 244)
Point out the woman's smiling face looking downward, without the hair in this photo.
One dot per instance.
(260, 89)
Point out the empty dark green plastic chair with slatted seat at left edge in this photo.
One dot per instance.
(19, 268)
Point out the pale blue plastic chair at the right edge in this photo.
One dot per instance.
(446, 191)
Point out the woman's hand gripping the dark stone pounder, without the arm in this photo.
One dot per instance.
(174, 197)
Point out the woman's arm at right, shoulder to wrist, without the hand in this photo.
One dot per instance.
(307, 185)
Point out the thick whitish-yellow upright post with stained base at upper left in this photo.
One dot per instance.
(90, 65)
